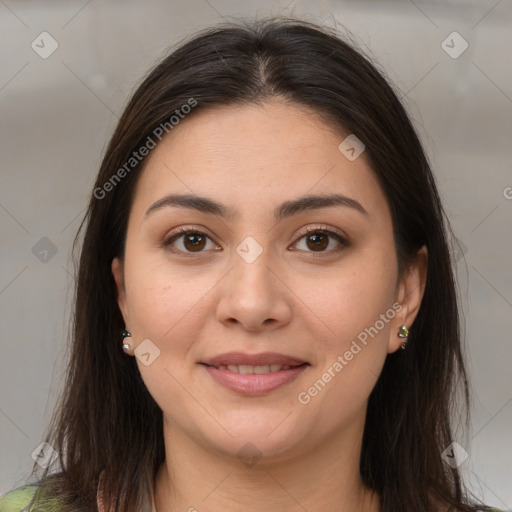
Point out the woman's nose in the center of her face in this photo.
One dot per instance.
(254, 294)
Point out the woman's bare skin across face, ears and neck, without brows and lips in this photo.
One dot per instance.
(305, 302)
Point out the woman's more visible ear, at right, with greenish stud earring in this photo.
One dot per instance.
(410, 292)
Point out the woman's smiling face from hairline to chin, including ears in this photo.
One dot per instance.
(251, 280)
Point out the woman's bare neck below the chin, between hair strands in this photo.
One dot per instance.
(325, 477)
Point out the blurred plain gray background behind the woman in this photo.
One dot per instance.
(58, 110)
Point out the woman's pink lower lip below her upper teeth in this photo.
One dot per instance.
(254, 384)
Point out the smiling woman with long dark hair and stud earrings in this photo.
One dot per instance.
(264, 238)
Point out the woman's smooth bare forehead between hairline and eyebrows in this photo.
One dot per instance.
(253, 156)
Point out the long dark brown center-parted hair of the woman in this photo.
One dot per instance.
(106, 421)
